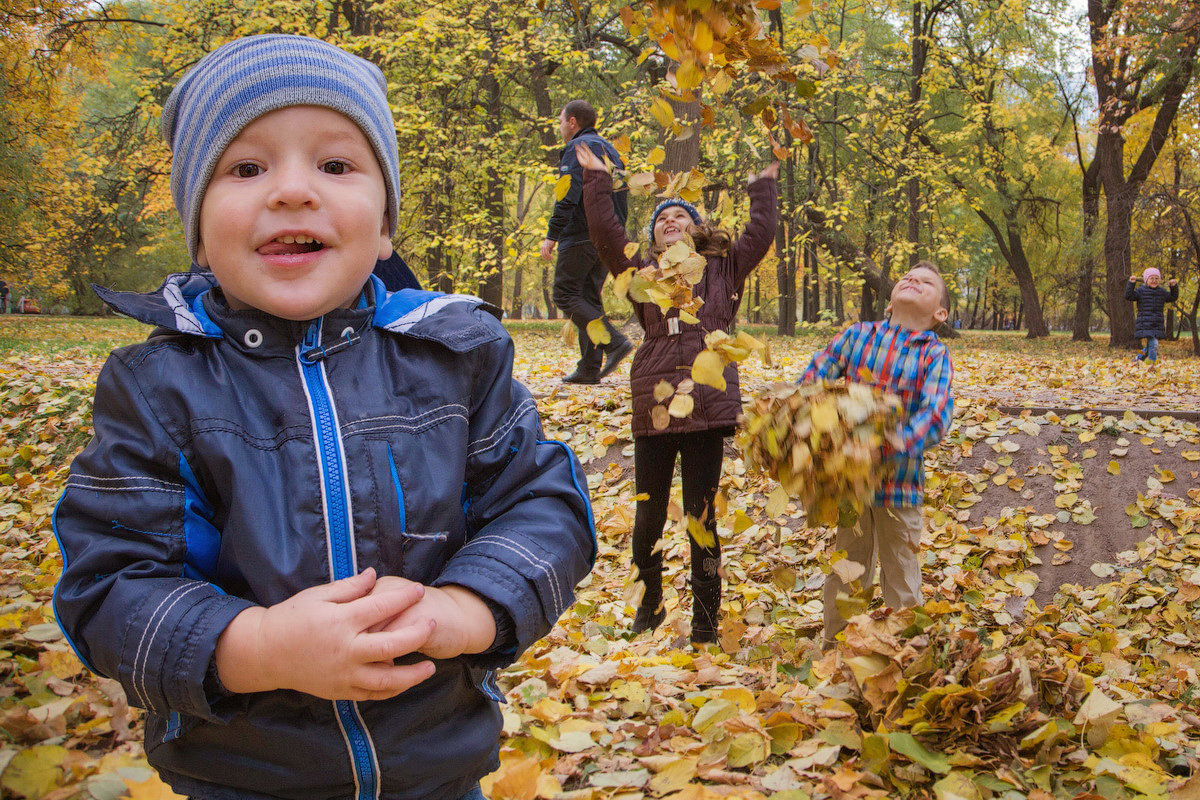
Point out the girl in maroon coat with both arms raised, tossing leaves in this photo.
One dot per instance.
(667, 354)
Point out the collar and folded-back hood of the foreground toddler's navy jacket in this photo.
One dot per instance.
(191, 304)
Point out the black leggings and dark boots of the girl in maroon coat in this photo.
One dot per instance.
(655, 458)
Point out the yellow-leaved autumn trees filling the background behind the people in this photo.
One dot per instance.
(1037, 151)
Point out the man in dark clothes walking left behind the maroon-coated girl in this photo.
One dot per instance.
(579, 273)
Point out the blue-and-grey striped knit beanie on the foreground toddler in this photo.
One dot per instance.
(239, 82)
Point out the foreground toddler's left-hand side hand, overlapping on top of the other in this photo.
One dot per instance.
(321, 642)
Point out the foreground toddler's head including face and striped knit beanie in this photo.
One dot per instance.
(285, 172)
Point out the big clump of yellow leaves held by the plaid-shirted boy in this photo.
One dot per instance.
(823, 443)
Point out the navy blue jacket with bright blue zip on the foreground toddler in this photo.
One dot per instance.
(239, 459)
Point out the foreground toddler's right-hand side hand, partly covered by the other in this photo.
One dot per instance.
(464, 623)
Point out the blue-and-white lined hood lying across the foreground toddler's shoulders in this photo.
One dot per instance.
(179, 306)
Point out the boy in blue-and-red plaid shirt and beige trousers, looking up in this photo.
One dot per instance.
(902, 356)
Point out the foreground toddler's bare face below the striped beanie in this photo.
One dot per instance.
(296, 215)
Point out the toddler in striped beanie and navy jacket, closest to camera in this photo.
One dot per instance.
(315, 516)
